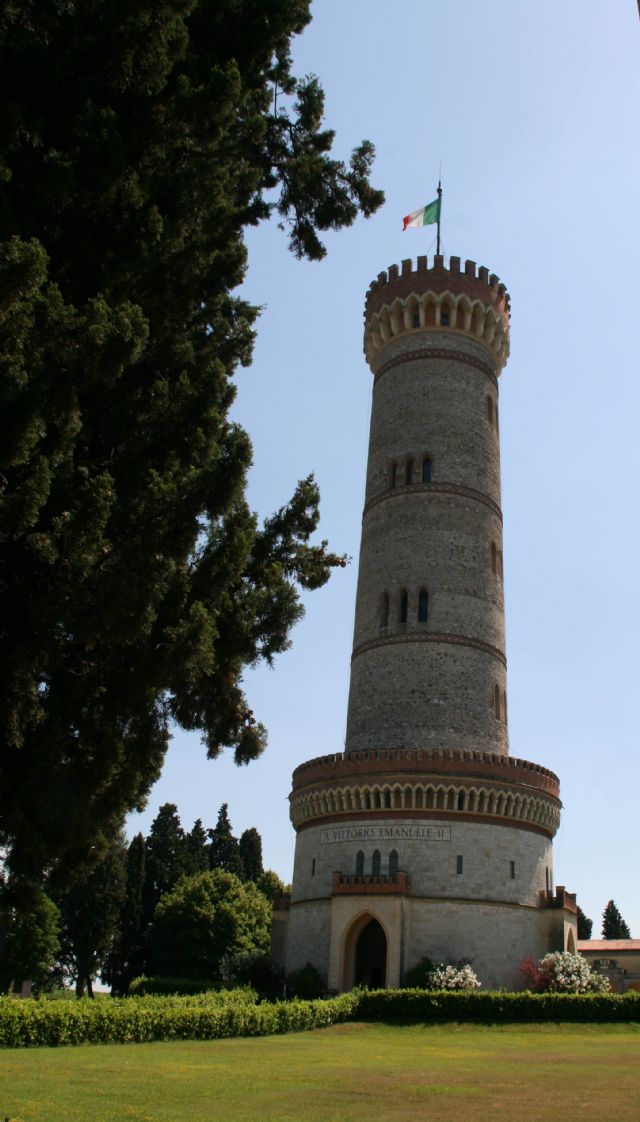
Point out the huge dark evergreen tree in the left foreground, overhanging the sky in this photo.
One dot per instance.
(138, 144)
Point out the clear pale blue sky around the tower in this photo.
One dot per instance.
(533, 111)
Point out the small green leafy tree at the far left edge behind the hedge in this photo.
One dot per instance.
(31, 942)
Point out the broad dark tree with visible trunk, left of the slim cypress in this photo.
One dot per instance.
(90, 914)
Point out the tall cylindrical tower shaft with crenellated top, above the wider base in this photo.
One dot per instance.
(429, 667)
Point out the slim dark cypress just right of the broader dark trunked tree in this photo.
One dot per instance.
(127, 958)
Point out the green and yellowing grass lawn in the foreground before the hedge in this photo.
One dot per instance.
(350, 1073)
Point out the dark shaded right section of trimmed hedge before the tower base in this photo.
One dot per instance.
(490, 1008)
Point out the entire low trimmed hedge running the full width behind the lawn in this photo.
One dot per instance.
(32, 1023)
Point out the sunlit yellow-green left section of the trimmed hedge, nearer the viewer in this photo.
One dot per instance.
(135, 1020)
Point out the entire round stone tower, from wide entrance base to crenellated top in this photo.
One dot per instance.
(425, 838)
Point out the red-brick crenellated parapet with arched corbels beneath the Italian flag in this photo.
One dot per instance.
(406, 300)
